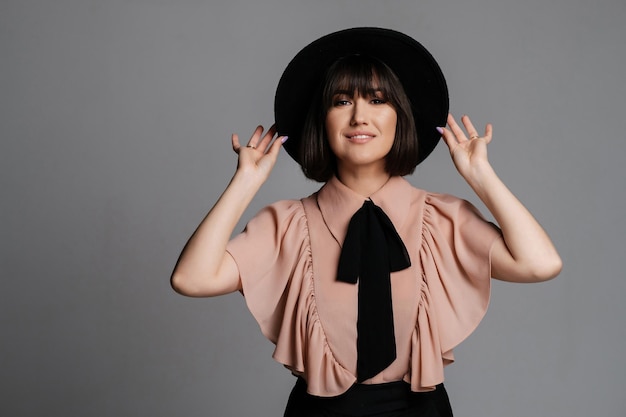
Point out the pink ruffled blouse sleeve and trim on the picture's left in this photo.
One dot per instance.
(274, 299)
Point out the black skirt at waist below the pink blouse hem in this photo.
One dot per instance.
(394, 399)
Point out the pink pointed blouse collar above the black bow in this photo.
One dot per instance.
(338, 203)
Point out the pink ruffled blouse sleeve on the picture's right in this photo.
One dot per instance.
(456, 276)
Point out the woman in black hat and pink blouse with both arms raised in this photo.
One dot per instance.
(366, 286)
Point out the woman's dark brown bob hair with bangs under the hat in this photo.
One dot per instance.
(362, 75)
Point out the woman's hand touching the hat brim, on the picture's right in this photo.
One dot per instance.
(468, 150)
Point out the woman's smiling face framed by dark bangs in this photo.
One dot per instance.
(361, 130)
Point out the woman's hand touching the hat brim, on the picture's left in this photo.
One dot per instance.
(258, 157)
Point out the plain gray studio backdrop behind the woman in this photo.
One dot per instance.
(115, 120)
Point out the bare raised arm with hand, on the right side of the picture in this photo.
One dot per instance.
(526, 254)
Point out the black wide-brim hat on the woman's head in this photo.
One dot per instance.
(417, 70)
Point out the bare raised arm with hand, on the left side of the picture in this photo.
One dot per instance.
(204, 268)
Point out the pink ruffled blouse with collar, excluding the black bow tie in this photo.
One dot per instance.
(287, 258)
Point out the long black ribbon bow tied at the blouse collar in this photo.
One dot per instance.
(372, 250)
